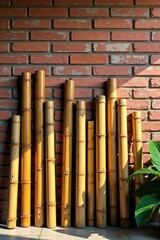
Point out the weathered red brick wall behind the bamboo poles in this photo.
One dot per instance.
(89, 41)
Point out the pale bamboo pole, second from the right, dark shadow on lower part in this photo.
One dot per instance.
(123, 163)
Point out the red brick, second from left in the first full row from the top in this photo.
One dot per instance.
(48, 12)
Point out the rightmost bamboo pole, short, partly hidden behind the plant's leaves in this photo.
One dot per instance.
(137, 148)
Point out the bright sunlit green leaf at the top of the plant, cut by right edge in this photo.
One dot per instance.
(154, 149)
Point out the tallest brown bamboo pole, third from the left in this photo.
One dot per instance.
(39, 147)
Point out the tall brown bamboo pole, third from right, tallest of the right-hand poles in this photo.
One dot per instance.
(112, 150)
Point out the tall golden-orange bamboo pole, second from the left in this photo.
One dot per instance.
(26, 151)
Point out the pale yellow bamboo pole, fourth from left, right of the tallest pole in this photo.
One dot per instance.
(50, 165)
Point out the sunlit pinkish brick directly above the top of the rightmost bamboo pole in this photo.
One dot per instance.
(134, 104)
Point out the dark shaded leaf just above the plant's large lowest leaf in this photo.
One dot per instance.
(148, 188)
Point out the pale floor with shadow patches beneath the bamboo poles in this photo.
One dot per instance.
(71, 233)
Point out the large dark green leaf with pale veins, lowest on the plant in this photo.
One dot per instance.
(145, 208)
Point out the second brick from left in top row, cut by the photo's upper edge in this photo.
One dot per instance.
(32, 3)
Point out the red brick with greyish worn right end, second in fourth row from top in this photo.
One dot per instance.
(49, 35)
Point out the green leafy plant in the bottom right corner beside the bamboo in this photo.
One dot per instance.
(149, 191)
